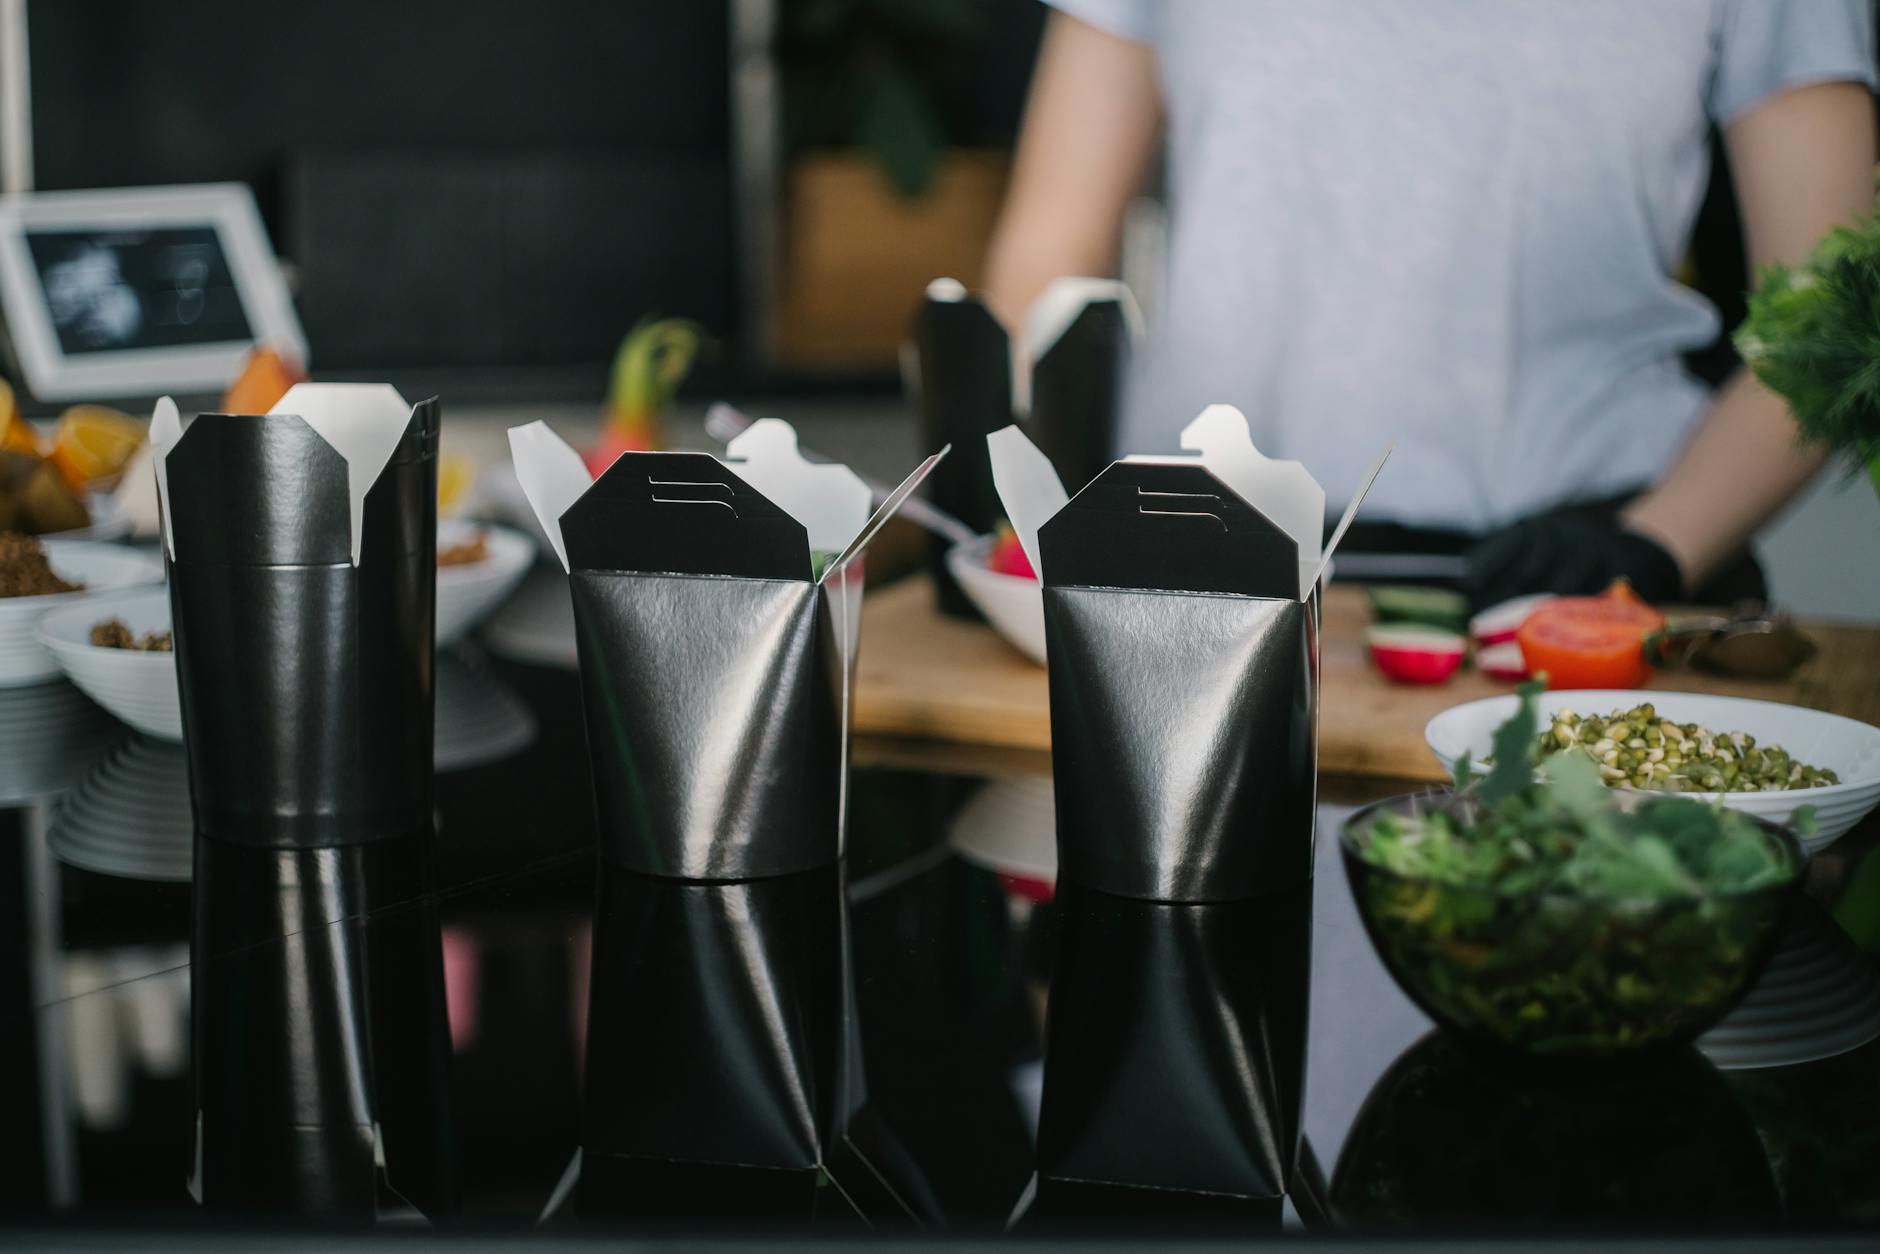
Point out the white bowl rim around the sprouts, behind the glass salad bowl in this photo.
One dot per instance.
(1847, 747)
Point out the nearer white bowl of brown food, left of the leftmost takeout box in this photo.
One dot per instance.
(134, 685)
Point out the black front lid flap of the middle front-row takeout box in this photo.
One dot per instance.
(683, 514)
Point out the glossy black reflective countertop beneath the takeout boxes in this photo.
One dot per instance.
(952, 948)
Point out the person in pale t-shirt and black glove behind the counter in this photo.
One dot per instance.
(1456, 225)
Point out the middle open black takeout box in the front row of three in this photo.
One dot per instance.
(717, 616)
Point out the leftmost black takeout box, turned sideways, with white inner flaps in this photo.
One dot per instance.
(304, 591)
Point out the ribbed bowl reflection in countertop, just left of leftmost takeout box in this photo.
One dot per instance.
(131, 817)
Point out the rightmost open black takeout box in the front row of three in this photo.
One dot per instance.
(1182, 627)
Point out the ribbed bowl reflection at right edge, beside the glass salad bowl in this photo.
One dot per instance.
(1821, 997)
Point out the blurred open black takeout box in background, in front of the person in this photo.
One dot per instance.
(1063, 375)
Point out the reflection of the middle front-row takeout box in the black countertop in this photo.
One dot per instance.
(725, 1065)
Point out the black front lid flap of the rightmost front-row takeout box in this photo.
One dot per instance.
(1174, 529)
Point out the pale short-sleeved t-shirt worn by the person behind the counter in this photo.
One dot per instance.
(1450, 225)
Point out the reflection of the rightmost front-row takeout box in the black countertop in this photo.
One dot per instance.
(1176, 1054)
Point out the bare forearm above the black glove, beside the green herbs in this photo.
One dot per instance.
(1740, 469)
